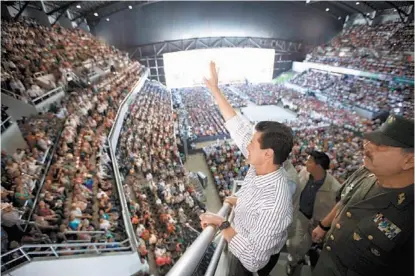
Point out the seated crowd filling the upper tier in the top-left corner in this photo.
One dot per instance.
(31, 51)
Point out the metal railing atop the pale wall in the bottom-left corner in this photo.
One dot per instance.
(27, 252)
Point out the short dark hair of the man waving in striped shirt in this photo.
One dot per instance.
(278, 137)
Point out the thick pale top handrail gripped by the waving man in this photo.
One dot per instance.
(190, 260)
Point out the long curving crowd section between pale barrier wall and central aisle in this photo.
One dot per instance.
(162, 200)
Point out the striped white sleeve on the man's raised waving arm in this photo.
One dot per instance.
(241, 132)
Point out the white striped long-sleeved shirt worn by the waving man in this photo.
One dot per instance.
(264, 208)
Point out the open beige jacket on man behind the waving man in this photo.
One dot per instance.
(325, 198)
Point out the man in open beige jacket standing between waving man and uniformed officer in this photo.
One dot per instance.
(314, 198)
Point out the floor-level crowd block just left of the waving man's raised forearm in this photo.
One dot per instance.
(202, 114)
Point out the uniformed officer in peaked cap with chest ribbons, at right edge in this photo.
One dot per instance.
(372, 226)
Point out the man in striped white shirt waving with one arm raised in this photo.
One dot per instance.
(263, 206)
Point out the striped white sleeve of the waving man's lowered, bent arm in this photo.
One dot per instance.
(255, 249)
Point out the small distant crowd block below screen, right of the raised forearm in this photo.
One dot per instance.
(260, 94)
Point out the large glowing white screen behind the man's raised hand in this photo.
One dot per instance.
(187, 68)
